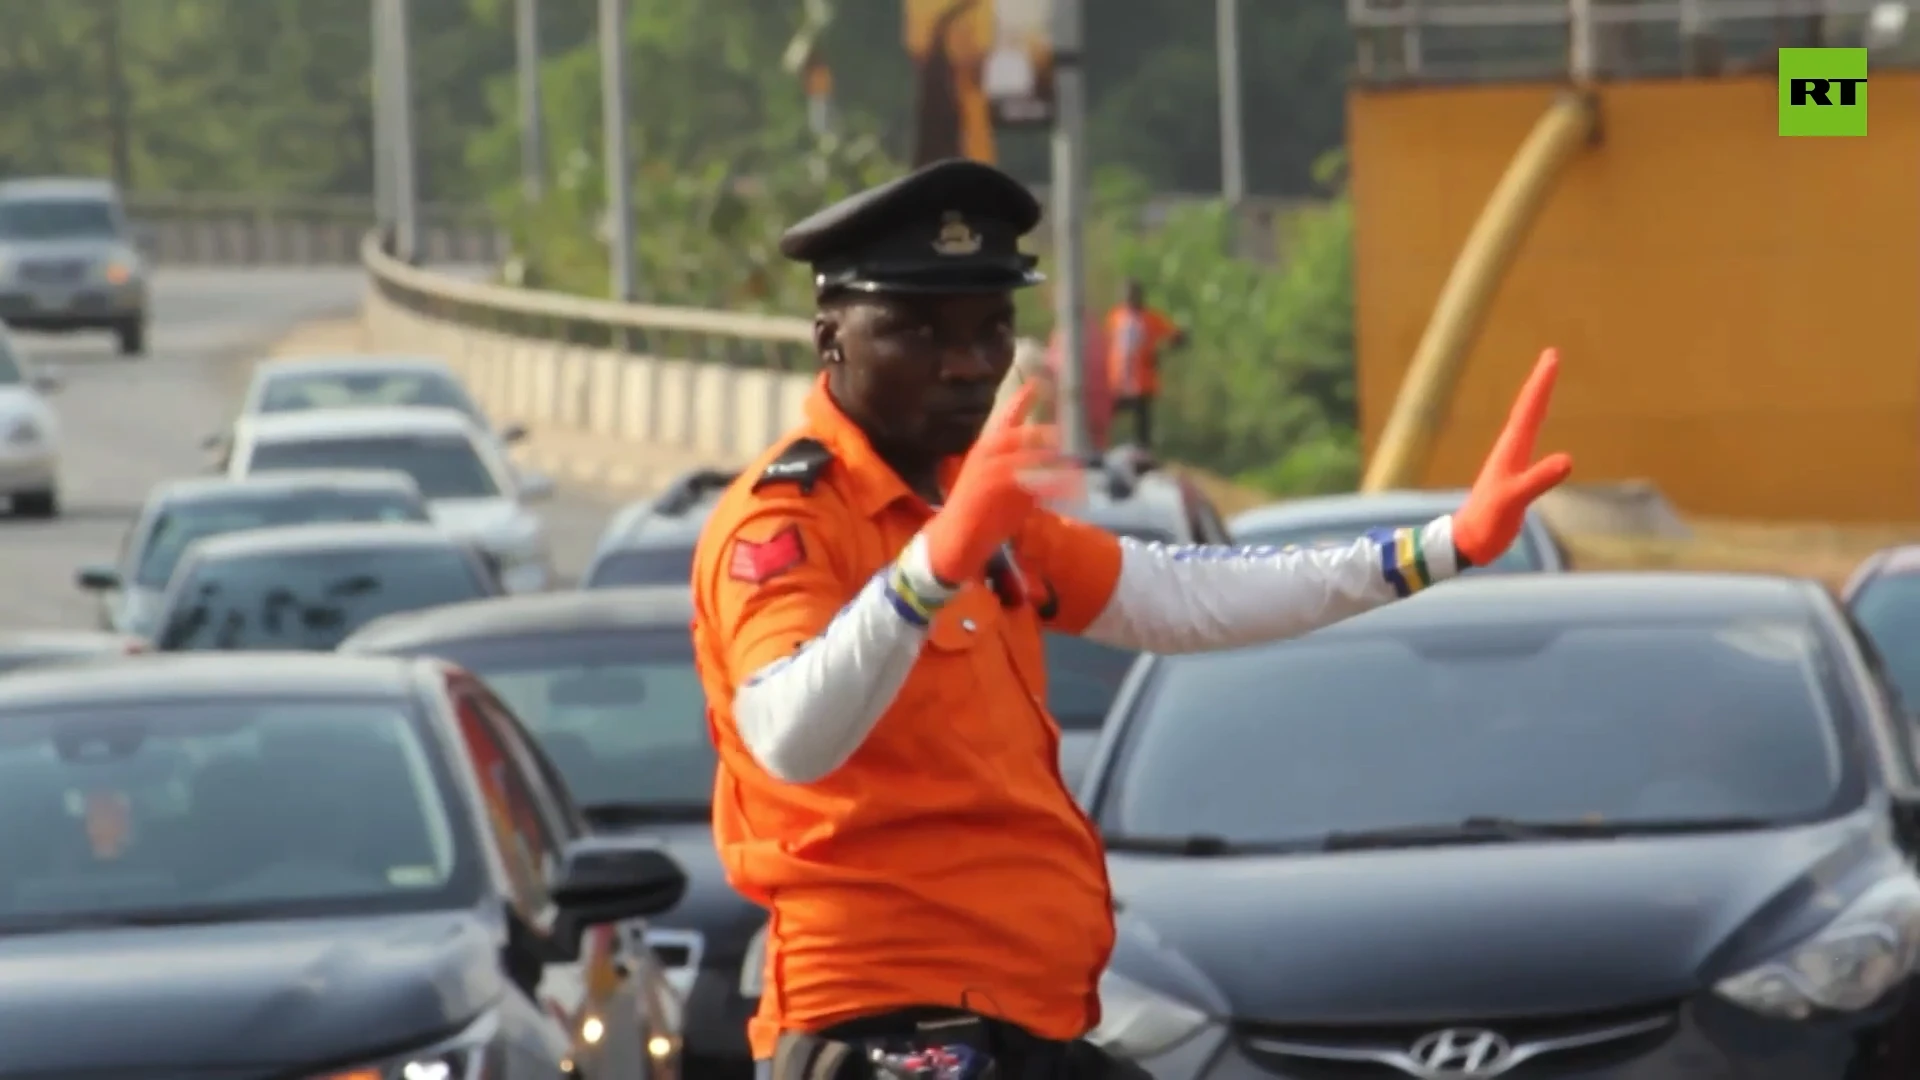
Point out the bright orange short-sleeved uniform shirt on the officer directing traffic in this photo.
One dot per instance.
(946, 862)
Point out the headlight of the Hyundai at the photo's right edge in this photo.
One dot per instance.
(1850, 966)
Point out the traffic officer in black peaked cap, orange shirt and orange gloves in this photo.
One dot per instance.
(869, 610)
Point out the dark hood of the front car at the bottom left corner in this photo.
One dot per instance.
(239, 994)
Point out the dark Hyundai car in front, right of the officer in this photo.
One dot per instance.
(1531, 825)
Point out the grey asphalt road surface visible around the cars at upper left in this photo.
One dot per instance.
(130, 424)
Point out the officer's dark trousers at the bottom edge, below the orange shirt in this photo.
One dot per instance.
(846, 1052)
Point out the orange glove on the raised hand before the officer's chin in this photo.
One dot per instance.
(1005, 478)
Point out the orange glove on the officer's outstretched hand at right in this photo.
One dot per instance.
(1512, 479)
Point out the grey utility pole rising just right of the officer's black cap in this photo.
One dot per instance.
(1070, 255)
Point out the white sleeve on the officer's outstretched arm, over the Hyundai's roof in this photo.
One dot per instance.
(1195, 599)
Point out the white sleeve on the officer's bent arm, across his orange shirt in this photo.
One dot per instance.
(804, 716)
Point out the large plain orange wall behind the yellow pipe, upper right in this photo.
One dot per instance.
(1739, 314)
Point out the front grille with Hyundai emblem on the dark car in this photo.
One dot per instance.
(1533, 1048)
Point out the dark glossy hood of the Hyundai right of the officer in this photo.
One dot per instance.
(1468, 931)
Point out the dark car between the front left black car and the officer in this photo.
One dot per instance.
(606, 683)
